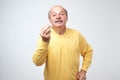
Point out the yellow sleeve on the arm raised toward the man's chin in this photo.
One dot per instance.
(40, 53)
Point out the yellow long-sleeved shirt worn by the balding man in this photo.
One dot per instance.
(62, 55)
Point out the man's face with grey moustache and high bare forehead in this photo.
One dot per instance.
(58, 17)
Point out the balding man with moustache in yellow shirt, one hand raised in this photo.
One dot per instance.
(60, 48)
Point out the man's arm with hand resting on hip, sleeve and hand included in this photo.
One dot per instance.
(86, 52)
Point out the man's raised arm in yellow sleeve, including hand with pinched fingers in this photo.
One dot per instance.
(41, 51)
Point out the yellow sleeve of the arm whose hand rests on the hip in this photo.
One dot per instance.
(86, 52)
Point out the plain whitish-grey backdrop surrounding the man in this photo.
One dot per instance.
(20, 23)
